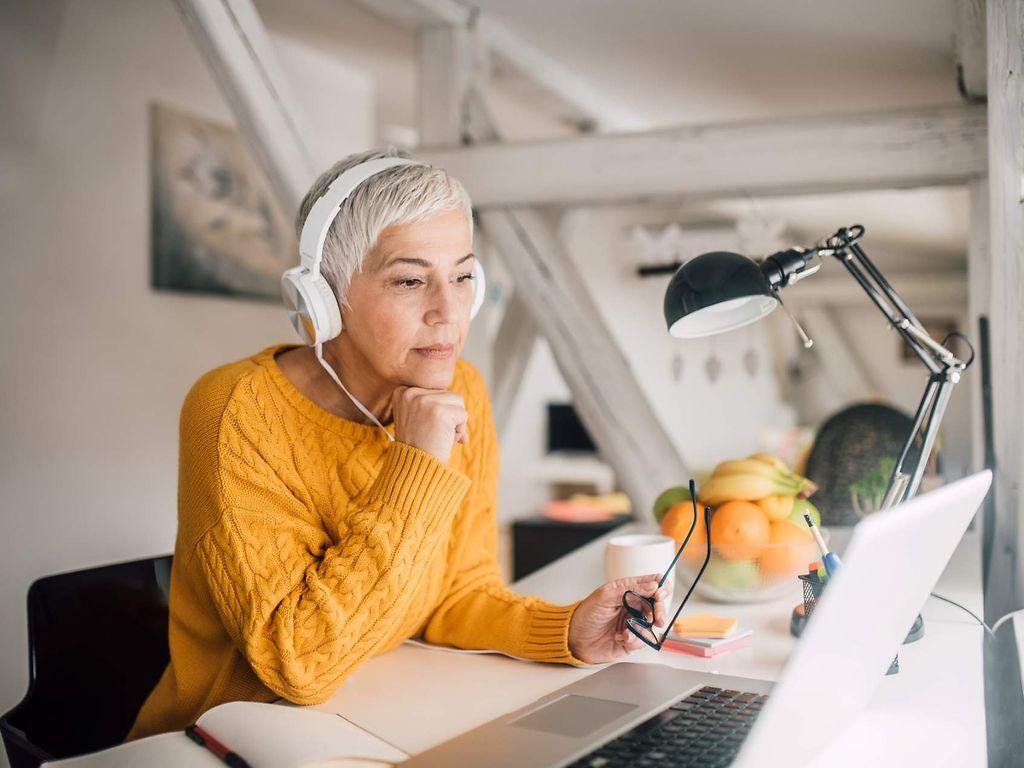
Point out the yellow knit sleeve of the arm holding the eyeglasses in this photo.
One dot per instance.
(480, 612)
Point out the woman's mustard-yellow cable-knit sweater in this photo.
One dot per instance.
(309, 543)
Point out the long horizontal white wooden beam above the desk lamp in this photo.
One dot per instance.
(908, 149)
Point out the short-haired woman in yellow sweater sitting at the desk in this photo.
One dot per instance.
(319, 525)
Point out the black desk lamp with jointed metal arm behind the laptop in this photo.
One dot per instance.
(721, 291)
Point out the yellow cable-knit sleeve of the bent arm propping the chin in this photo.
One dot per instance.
(304, 610)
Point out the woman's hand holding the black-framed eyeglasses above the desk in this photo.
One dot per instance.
(598, 630)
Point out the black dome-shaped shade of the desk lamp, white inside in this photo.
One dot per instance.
(716, 292)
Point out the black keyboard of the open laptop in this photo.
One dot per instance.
(704, 730)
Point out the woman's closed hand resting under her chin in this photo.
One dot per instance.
(433, 420)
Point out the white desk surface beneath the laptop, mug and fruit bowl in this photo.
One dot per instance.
(931, 713)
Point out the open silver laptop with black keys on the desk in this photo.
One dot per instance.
(651, 714)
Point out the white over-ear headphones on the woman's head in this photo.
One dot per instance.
(312, 305)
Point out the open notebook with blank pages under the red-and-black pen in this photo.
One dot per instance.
(266, 736)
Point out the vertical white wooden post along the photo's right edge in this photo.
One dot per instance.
(1006, 201)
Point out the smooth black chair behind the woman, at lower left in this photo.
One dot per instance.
(98, 646)
